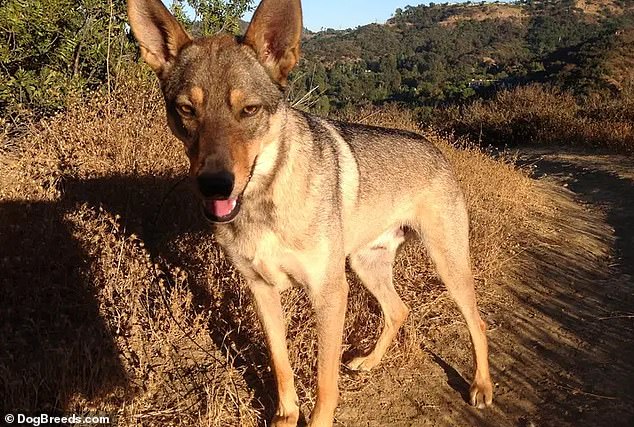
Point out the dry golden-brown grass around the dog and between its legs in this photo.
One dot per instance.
(117, 299)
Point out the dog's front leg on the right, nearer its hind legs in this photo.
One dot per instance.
(329, 303)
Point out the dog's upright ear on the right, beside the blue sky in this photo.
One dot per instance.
(275, 33)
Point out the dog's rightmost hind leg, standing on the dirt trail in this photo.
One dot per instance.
(444, 228)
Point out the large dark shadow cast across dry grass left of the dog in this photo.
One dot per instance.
(56, 347)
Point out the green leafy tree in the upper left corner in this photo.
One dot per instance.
(52, 49)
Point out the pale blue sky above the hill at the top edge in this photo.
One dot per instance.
(342, 14)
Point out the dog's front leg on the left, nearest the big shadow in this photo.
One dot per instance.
(269, 309)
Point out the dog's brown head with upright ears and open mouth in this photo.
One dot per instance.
(221, 92)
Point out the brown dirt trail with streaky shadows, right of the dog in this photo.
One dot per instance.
(562, 344)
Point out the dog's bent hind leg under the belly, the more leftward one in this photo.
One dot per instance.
(373, 265)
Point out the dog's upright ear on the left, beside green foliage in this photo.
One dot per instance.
(159, 34)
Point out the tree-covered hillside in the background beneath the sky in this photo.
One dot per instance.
(427, 55)
